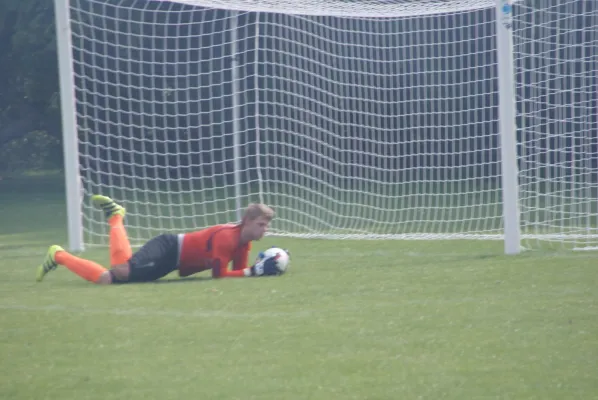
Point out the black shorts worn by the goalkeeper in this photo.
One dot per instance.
(155, 259)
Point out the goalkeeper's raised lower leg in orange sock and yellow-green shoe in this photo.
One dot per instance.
(120, 248)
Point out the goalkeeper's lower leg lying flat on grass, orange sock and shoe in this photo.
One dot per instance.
(86, 269)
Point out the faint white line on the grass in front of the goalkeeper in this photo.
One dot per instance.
(141, 312)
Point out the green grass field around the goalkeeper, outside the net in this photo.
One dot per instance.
(351, 320)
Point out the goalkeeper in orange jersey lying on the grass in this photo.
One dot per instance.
(211, 249)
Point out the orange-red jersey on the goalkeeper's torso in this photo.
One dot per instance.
(214, 248)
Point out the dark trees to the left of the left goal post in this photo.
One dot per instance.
(30, 135)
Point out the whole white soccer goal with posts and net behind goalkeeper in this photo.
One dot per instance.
(354, 119)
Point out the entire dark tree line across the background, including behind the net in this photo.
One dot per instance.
(161, 82)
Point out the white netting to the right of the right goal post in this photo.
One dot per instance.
(557, 102)
